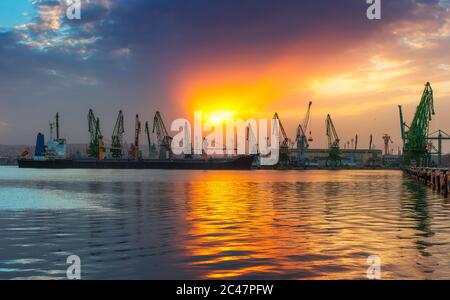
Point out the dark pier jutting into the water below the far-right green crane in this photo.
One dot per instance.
(435, 178)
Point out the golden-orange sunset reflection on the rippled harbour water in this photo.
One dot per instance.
(315, 224)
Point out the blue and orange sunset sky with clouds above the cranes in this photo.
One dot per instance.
(249, 57)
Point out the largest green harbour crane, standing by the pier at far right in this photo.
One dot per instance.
(415, 137)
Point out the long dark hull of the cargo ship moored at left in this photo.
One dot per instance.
(237, 163)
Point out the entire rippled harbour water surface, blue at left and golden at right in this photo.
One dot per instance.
(216, 224)
